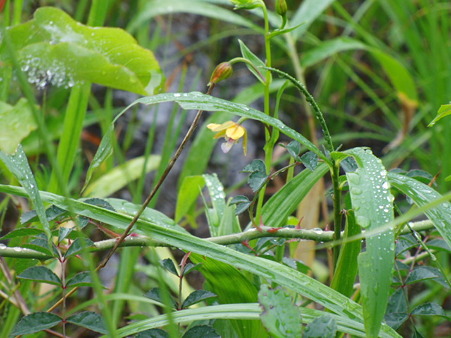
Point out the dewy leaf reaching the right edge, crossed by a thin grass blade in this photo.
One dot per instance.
(422, 194)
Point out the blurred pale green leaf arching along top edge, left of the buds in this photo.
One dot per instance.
(155, 8)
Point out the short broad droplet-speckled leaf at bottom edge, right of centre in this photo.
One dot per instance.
(280, 316)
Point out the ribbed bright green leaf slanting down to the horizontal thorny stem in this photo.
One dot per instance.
(282, 204)
